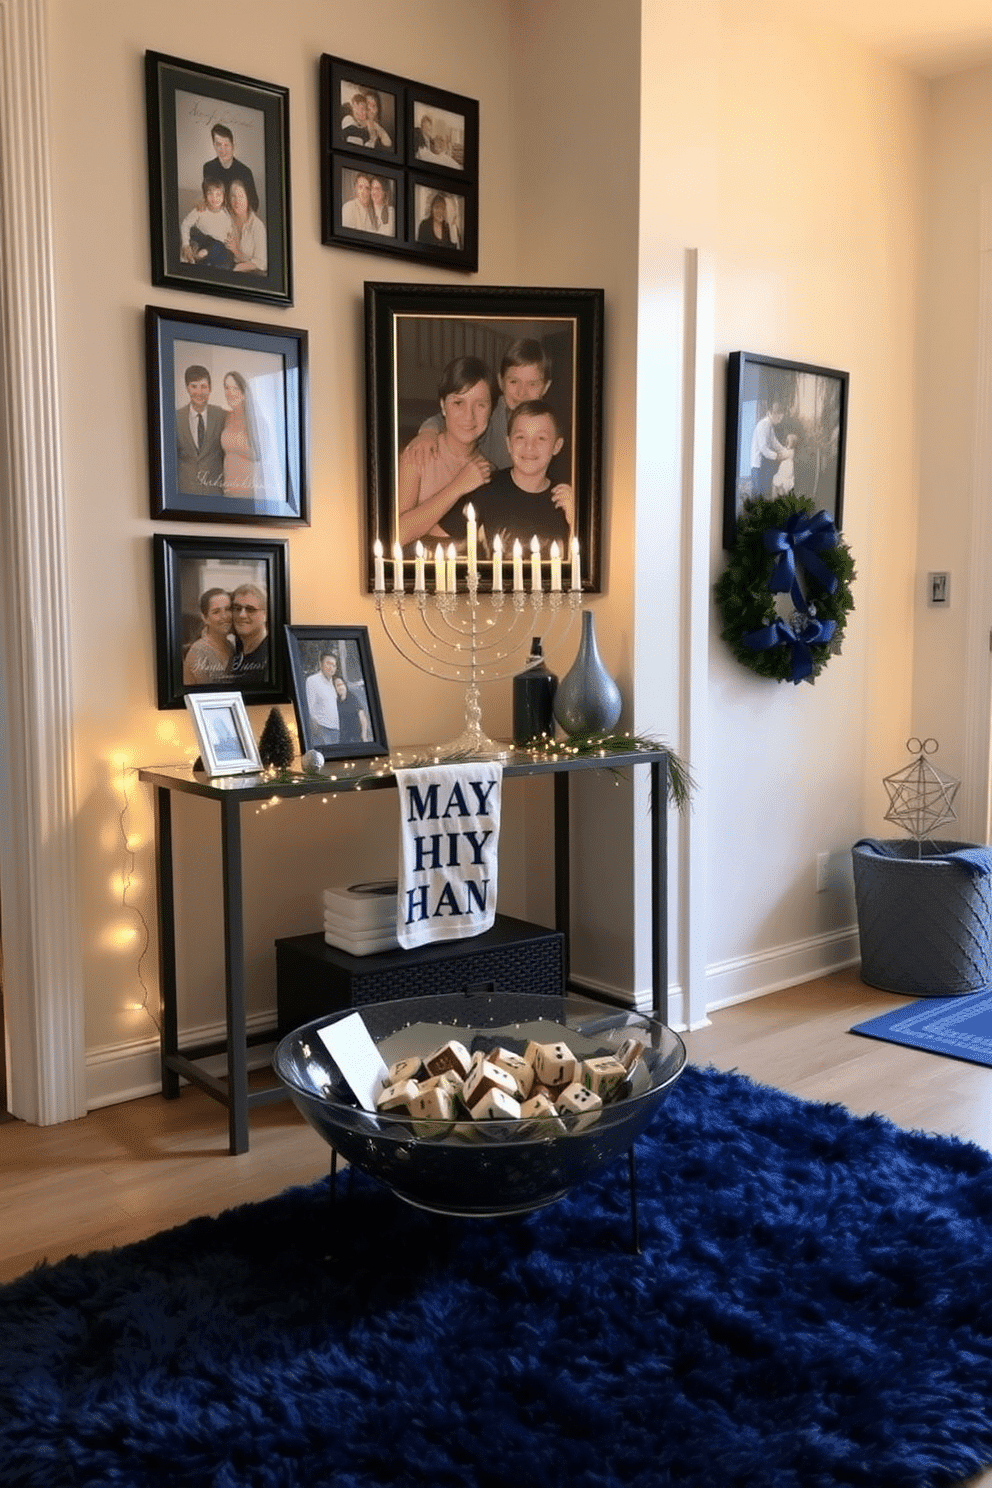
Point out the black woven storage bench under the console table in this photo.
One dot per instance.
(315, 978)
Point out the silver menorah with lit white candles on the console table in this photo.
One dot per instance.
(471, 638)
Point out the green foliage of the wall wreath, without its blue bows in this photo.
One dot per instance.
(749, 606)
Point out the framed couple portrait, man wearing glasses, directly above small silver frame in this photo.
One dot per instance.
(221, 609)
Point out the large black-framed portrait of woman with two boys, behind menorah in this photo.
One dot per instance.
(447, 371)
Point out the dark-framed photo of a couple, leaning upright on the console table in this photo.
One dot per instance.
(350, 647)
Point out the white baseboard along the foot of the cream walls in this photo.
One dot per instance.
(127, 1072)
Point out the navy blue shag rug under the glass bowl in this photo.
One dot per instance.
(813, 1307)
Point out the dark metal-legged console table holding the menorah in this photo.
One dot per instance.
(234, 792)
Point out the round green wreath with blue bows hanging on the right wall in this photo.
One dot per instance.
(786, 547)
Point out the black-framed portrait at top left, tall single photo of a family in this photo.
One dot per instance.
(185, 105)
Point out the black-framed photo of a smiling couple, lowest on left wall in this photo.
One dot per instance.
(187, 569)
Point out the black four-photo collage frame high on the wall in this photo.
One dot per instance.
(379, 173)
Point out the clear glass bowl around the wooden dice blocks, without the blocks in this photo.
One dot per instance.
(480, 1169)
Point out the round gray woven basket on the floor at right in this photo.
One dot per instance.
(926, 926)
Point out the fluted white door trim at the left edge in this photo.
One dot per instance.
(44, 995)
